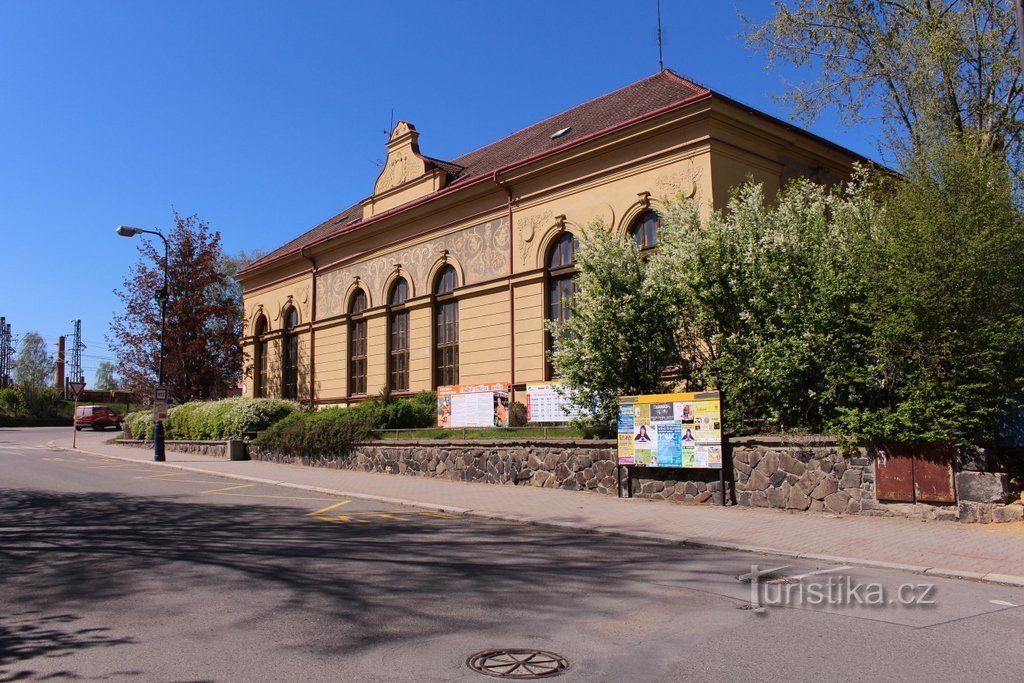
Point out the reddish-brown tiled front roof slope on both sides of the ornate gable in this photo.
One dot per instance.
(634, 102)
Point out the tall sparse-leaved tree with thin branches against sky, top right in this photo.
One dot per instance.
(930, 71)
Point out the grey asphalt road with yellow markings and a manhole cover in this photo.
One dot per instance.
(137, 572)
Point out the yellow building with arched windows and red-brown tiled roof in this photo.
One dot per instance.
(447, 273)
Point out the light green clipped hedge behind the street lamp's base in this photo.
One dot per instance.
(217, 420)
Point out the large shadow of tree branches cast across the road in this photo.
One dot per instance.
(381, 581)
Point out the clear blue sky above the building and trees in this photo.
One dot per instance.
(266, 118)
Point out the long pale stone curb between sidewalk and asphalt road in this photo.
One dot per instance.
(707, 544)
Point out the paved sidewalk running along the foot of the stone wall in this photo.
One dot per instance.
(991, 552)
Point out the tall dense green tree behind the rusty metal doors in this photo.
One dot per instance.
(948, 303)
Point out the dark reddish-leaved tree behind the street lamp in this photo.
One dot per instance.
(203, 353)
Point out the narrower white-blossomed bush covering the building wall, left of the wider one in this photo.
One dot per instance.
(620, 339)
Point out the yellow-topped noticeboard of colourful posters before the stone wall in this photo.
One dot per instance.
(671, 431)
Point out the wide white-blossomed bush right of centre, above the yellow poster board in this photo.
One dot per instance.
(770, 296)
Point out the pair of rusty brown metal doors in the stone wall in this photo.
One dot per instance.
(916, 474)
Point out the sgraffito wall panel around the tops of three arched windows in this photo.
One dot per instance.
(482, 250)
